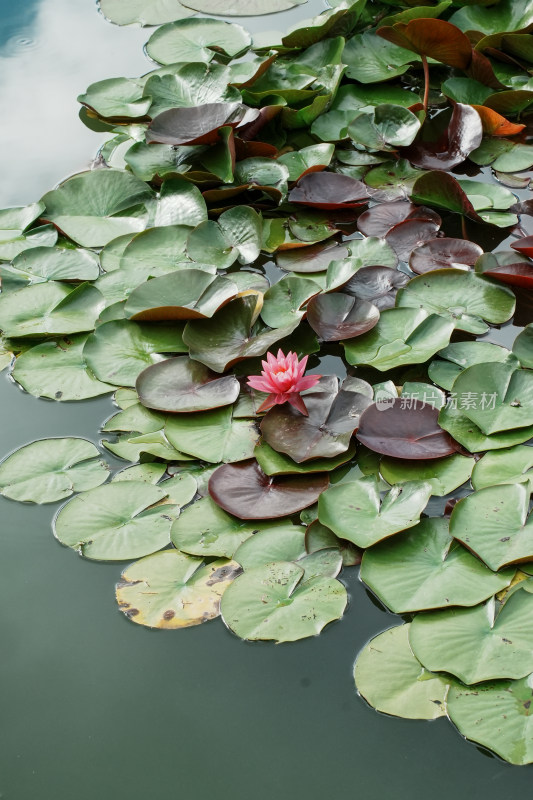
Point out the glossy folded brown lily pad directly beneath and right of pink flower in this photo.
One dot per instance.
(333, 416)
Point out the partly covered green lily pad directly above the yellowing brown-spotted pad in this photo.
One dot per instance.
(204, 529)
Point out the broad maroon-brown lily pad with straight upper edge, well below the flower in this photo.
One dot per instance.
(246, 492)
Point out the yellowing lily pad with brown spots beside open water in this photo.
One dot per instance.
(171, 590)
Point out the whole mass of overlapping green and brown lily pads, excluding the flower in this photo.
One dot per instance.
(317, 191)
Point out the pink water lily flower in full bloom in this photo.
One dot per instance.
(283, 378)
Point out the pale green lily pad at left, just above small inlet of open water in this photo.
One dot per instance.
(58, 370)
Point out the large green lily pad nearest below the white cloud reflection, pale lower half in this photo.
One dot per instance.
(93, 208)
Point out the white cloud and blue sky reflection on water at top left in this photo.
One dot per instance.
(50, 53)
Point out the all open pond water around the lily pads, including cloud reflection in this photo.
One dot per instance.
(94, 707)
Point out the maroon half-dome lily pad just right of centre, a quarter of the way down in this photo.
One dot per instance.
(329, 190)
